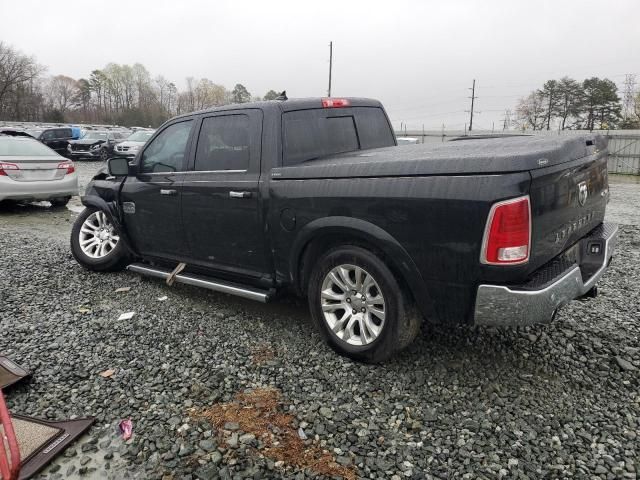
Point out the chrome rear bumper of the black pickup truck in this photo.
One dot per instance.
(499, 305)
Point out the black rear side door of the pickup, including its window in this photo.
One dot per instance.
(221, 206)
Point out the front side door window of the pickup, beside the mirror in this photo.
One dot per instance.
(167, 151)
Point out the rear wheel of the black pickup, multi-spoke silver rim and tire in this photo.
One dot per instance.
(359, 307)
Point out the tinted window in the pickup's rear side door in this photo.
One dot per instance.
(223, 143)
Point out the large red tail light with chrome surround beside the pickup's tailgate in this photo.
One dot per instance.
(507, 235)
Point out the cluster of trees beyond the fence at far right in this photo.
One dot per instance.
(564, 104)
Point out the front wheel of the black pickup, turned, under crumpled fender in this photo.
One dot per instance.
(96, 244)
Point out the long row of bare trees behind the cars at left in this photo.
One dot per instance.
(116, 94)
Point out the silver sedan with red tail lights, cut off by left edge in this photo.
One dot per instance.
(29, 170)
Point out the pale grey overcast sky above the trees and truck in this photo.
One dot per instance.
(419, 58)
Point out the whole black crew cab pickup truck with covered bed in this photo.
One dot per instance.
(314, 196)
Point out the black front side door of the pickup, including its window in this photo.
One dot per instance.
(151, 199)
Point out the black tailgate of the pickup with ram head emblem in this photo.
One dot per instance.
(567, 202)
